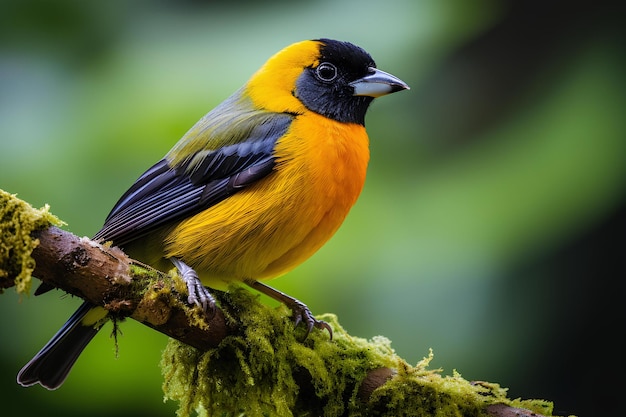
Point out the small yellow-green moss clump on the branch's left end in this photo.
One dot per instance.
(18, 221)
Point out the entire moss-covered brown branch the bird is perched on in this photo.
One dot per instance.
(247, 359)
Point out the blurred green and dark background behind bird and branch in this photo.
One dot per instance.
(492, 226)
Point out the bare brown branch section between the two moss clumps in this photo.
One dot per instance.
(106, 276)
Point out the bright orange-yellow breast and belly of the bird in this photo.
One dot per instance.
(274, 225)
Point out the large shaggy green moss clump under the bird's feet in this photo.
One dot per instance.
(266, 371)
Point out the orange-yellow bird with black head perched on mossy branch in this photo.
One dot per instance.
(251, 191)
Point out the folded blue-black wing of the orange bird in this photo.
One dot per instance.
(165, 193)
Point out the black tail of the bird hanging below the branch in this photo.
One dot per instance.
(53, 362)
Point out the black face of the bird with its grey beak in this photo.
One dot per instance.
(344, 82)
